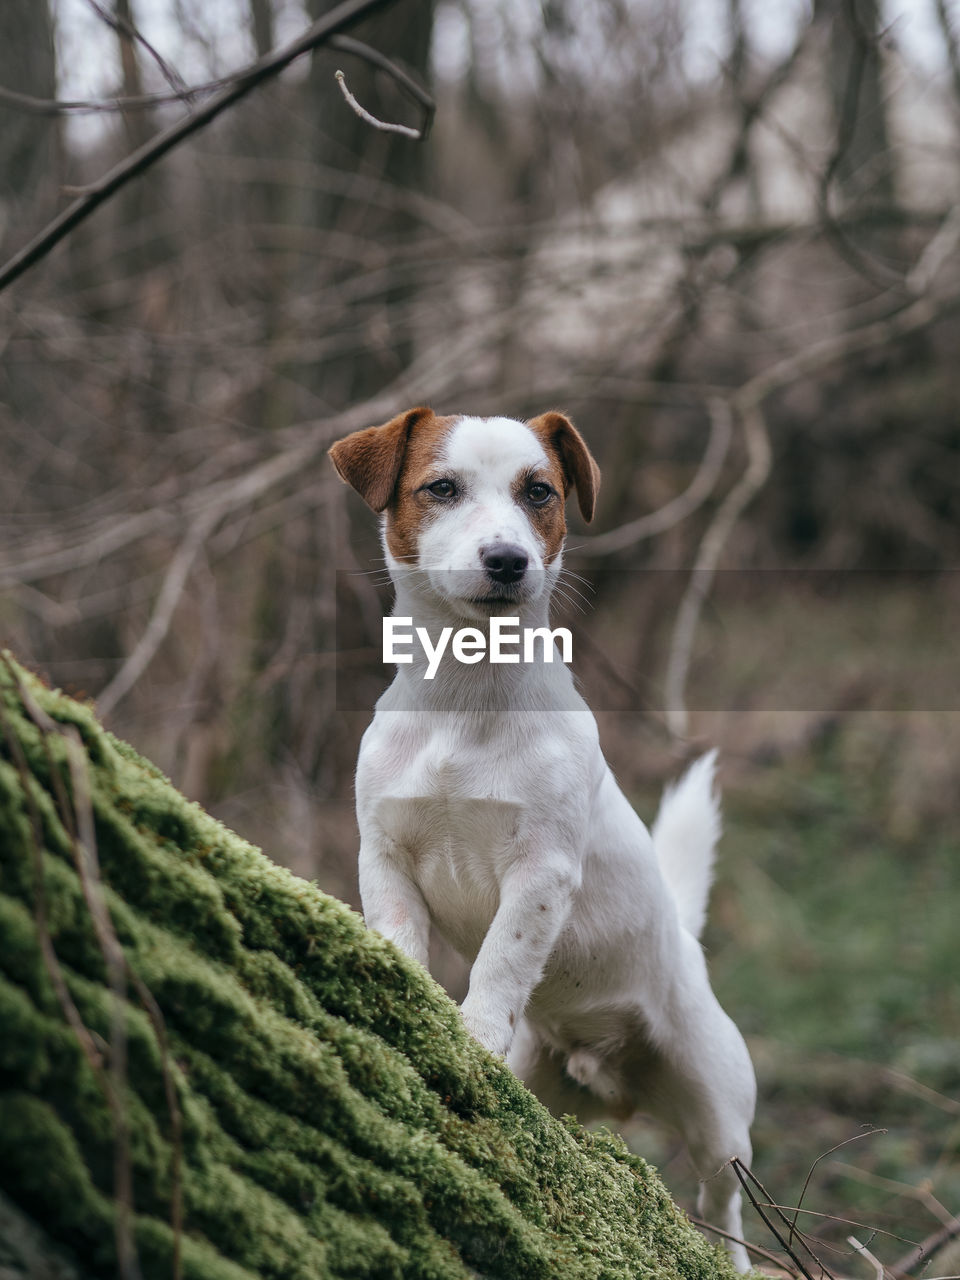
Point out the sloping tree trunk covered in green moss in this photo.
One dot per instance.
(337, 1121)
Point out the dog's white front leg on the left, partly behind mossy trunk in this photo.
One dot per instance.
(392, 903)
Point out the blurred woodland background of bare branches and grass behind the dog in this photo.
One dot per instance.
(711, 231)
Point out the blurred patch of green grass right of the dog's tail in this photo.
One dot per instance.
(831, 932)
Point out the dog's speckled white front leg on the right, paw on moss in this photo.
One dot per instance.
(536, 899)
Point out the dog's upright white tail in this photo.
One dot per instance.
(685, 839)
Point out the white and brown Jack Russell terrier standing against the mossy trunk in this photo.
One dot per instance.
(487, 810)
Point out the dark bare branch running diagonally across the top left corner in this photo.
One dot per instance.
(318, 34)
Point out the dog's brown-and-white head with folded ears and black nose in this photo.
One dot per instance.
(473, 508)
